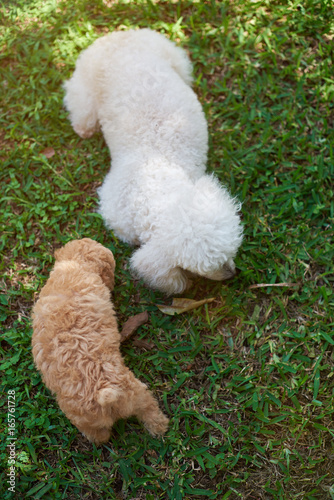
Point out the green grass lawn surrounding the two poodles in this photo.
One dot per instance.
(247, 380)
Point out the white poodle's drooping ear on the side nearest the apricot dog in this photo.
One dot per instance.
(150, 264)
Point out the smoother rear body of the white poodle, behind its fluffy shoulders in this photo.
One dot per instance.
(135, 85)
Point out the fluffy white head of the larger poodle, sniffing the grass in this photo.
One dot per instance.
(202, 235)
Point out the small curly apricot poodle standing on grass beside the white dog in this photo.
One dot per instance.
(76, 345)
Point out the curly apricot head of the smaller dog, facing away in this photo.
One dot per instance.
(92, 255)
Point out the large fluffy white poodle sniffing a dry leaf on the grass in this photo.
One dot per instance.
(135, 85)
